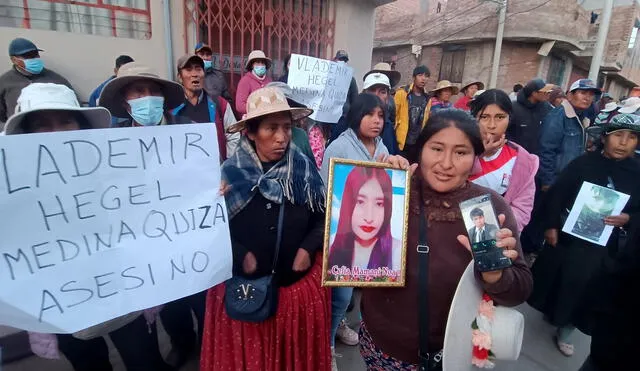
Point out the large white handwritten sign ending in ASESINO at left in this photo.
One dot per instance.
(100, 223)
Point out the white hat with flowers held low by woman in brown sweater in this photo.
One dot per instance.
(506, 328)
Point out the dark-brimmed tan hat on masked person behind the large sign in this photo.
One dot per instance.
(112, 97)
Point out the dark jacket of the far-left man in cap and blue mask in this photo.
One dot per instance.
(11, 84)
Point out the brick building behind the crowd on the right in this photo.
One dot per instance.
(552, 39)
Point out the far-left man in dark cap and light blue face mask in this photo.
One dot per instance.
(27, 68)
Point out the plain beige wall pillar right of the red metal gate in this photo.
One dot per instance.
(354, 33)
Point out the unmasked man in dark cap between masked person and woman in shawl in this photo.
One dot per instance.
(200, 107)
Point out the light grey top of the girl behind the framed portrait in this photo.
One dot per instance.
(349, 147)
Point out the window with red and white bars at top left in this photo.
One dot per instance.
(116, 18)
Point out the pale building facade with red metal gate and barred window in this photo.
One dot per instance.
(81, 39)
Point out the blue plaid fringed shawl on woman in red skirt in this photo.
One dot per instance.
(294, 177)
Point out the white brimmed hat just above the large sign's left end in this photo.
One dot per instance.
(46, 96)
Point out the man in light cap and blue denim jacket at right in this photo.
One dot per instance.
(562, 136)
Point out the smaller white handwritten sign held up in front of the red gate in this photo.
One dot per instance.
(321, 85)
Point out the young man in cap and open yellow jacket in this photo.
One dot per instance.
(412, 112)
